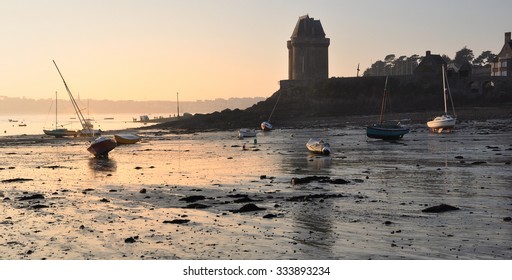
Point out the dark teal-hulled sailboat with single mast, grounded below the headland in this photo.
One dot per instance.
(388, 130)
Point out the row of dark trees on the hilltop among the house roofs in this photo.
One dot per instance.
(404, 65)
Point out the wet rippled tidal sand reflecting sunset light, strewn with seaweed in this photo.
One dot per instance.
(185, 196)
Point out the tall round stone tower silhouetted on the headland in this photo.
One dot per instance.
(308, 51)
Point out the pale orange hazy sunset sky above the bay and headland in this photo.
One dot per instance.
(207, 49)
